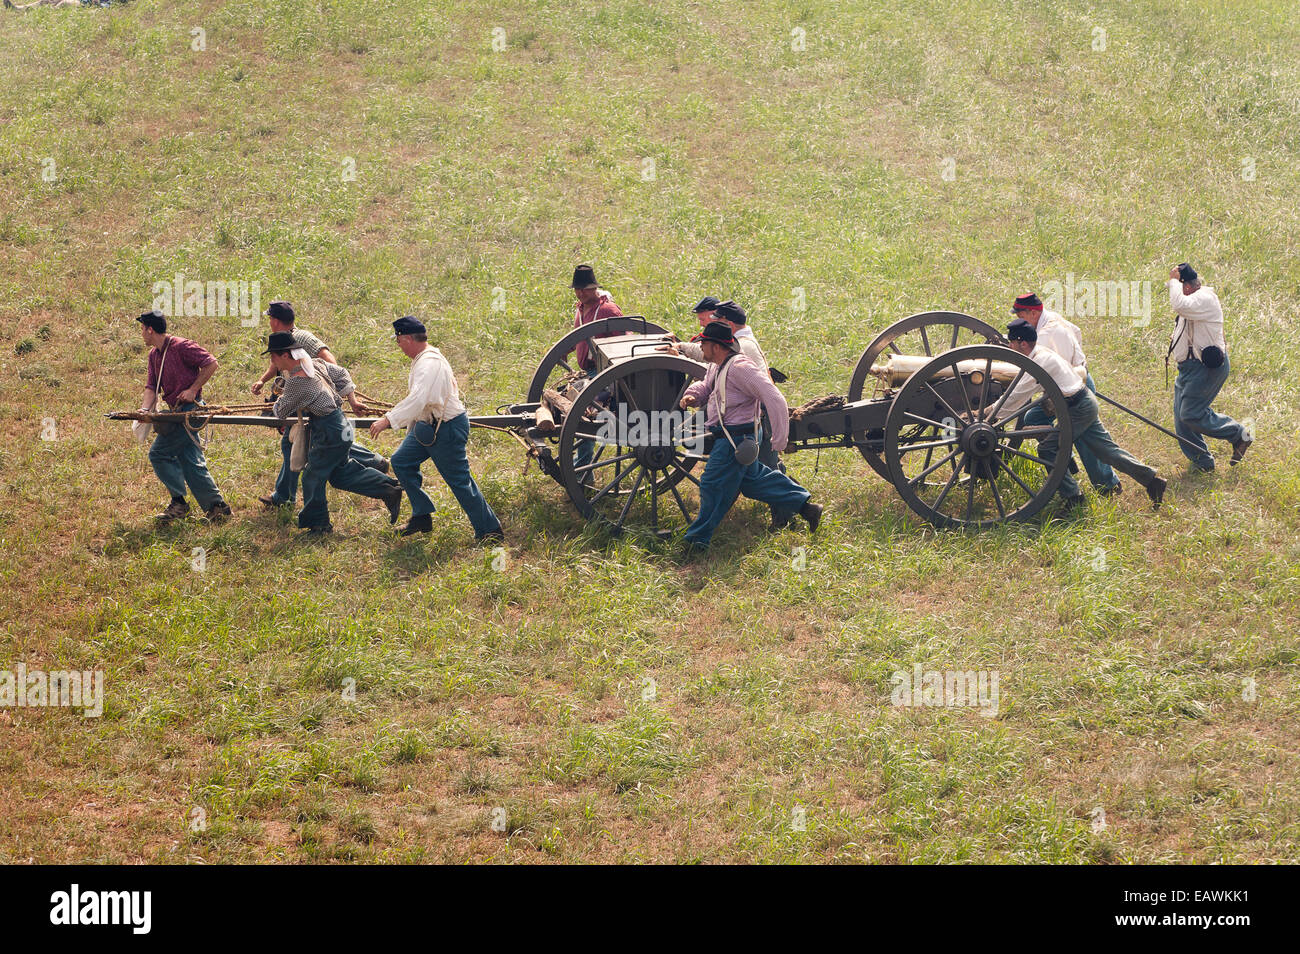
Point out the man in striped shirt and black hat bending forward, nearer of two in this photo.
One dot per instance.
(313, 393)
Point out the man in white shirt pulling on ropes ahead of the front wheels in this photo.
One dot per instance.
(437, 428)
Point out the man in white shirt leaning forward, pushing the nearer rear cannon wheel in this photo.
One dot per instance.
(1082, 407)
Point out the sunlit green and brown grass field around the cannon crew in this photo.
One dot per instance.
(885, 158)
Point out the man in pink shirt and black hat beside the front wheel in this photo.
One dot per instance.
(733, 417)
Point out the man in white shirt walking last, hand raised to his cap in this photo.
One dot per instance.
(1199, 349)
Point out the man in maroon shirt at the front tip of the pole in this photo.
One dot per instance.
(177, 372)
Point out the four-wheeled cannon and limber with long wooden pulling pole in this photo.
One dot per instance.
(924, 409)
